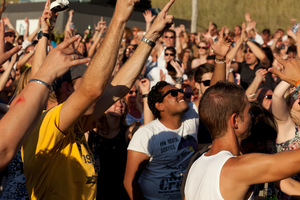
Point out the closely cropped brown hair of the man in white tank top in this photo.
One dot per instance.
(217, 105)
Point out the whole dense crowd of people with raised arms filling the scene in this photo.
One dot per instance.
(121, 113)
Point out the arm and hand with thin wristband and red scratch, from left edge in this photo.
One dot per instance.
(27, 106)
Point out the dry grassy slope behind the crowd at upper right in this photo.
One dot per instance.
(270, 14)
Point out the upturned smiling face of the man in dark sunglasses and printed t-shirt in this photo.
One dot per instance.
(174, 105)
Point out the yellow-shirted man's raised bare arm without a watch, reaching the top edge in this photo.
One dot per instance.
(100, 68)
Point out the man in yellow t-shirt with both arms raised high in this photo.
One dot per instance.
(57, 160)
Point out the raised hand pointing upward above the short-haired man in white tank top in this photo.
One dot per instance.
(221, 48)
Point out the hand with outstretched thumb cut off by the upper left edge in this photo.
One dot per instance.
(4, 56)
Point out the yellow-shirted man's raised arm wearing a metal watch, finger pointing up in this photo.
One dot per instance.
(130, 71)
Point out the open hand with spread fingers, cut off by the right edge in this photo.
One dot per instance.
(291, 71)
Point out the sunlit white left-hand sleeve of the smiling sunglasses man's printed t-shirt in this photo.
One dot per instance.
(140, 141)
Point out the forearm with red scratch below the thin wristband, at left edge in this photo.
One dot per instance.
(20, 119)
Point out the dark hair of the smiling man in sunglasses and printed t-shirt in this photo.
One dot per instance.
(155, 96)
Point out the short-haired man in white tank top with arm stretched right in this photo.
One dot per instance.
(222, 173)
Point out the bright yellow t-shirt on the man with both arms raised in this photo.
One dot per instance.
(57, 165)
